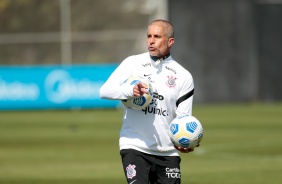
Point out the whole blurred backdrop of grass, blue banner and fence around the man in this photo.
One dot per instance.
(56, 54)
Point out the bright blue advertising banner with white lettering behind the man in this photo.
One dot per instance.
(54, 87)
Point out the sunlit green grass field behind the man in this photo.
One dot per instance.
(242, 144)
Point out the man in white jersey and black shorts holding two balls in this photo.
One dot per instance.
(148, 155)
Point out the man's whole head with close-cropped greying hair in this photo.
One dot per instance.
(160, 38)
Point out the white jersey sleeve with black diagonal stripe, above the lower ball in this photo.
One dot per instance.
(185, 99)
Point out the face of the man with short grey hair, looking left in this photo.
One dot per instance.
(158, 43)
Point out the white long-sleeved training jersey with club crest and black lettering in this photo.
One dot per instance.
(147, 130)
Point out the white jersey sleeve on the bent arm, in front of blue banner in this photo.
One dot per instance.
(115, 88)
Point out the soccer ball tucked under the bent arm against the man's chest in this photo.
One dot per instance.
(138, 103)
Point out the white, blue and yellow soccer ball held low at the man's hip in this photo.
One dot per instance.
(186, 131)
